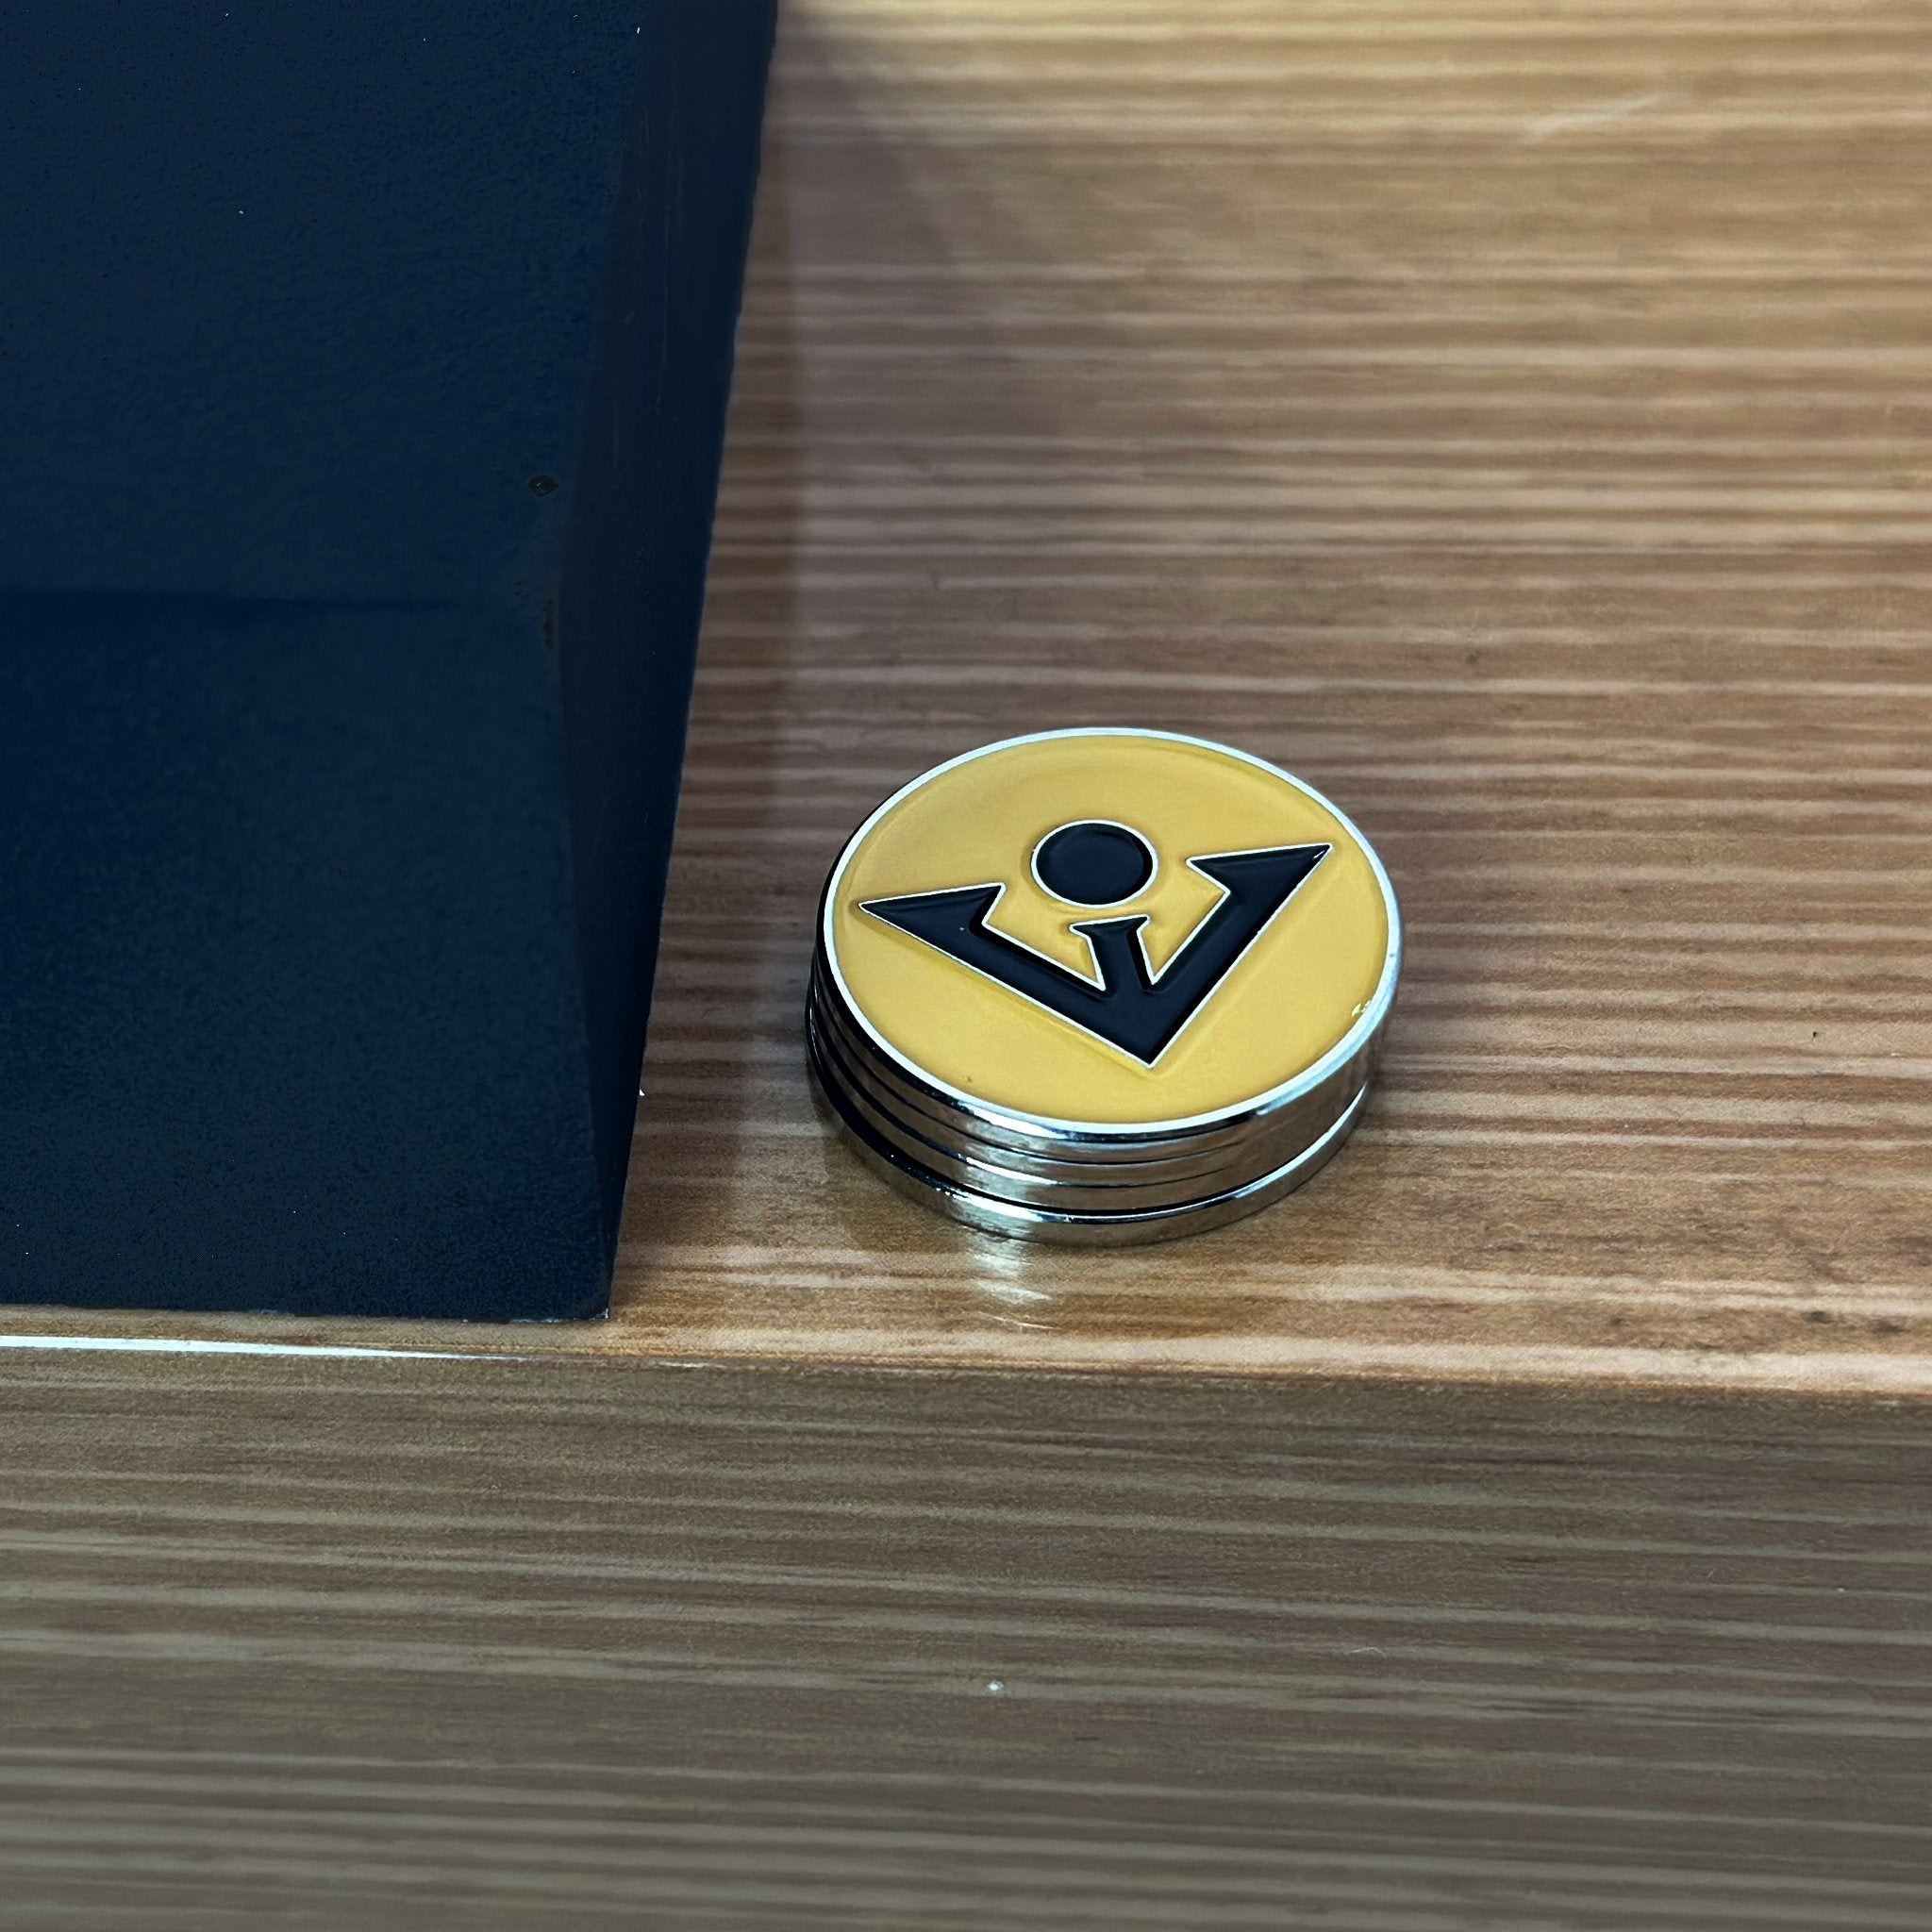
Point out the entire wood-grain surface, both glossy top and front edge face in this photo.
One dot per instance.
(1508, 416)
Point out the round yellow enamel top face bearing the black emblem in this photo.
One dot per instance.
(1264, 928)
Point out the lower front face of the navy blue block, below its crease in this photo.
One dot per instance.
(277, 1027)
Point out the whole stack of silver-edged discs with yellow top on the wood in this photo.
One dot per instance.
(1110, 950)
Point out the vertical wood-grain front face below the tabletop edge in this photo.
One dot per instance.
(399, 1647)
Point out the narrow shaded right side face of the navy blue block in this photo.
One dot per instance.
(648, 480)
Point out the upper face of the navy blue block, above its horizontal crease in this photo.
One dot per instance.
(297, 297)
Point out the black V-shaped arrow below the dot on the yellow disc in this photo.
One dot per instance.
(1129, 1009)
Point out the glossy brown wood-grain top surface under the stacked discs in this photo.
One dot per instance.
(1510, 418)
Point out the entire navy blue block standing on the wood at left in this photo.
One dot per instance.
(326, 923)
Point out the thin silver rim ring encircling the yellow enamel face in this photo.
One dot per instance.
(1038, 1127)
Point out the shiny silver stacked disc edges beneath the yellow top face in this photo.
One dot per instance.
(1056, 1181)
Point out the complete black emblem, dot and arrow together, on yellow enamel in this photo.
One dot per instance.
(1104, 865)
